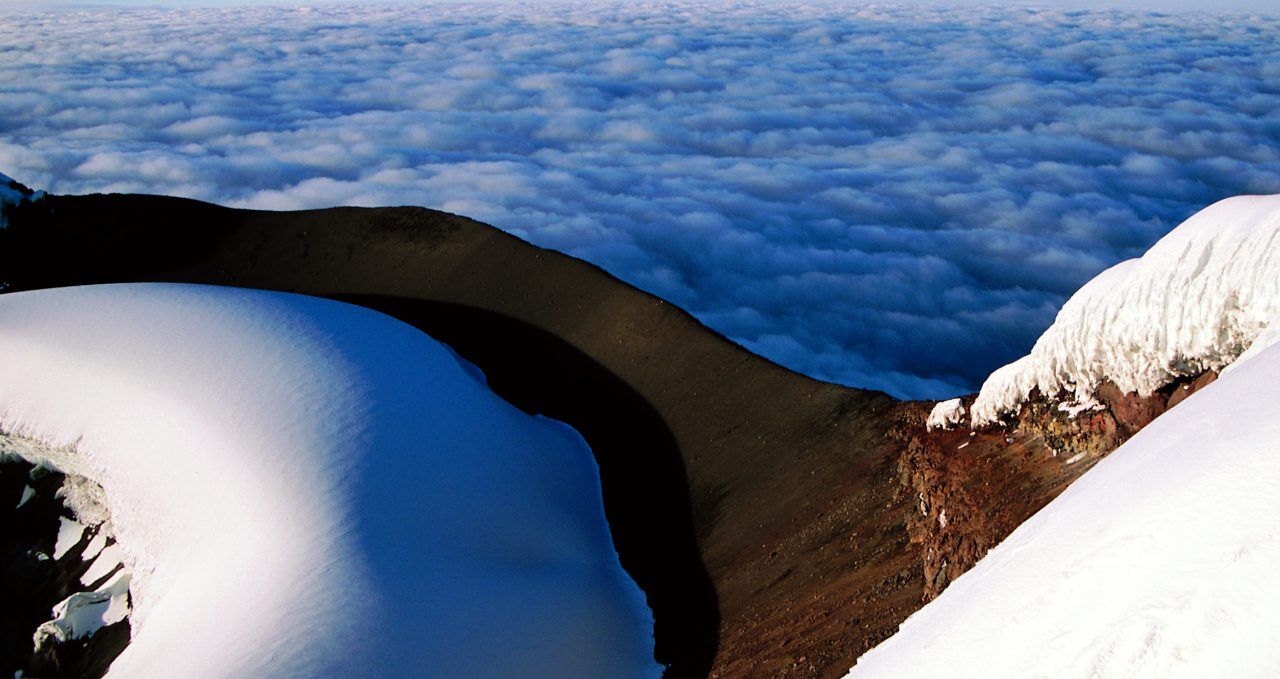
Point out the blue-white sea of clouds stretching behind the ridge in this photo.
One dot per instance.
(889, 198)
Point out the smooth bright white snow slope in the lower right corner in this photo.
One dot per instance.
(1159, 563)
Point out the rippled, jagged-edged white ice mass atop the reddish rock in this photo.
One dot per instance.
(1194, 303)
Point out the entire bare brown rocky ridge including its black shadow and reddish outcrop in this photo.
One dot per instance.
(779, 526)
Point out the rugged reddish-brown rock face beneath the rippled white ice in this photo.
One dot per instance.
(973, 489)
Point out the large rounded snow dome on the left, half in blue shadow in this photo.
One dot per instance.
(308, 489)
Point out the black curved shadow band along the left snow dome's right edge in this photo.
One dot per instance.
(642, 475)
